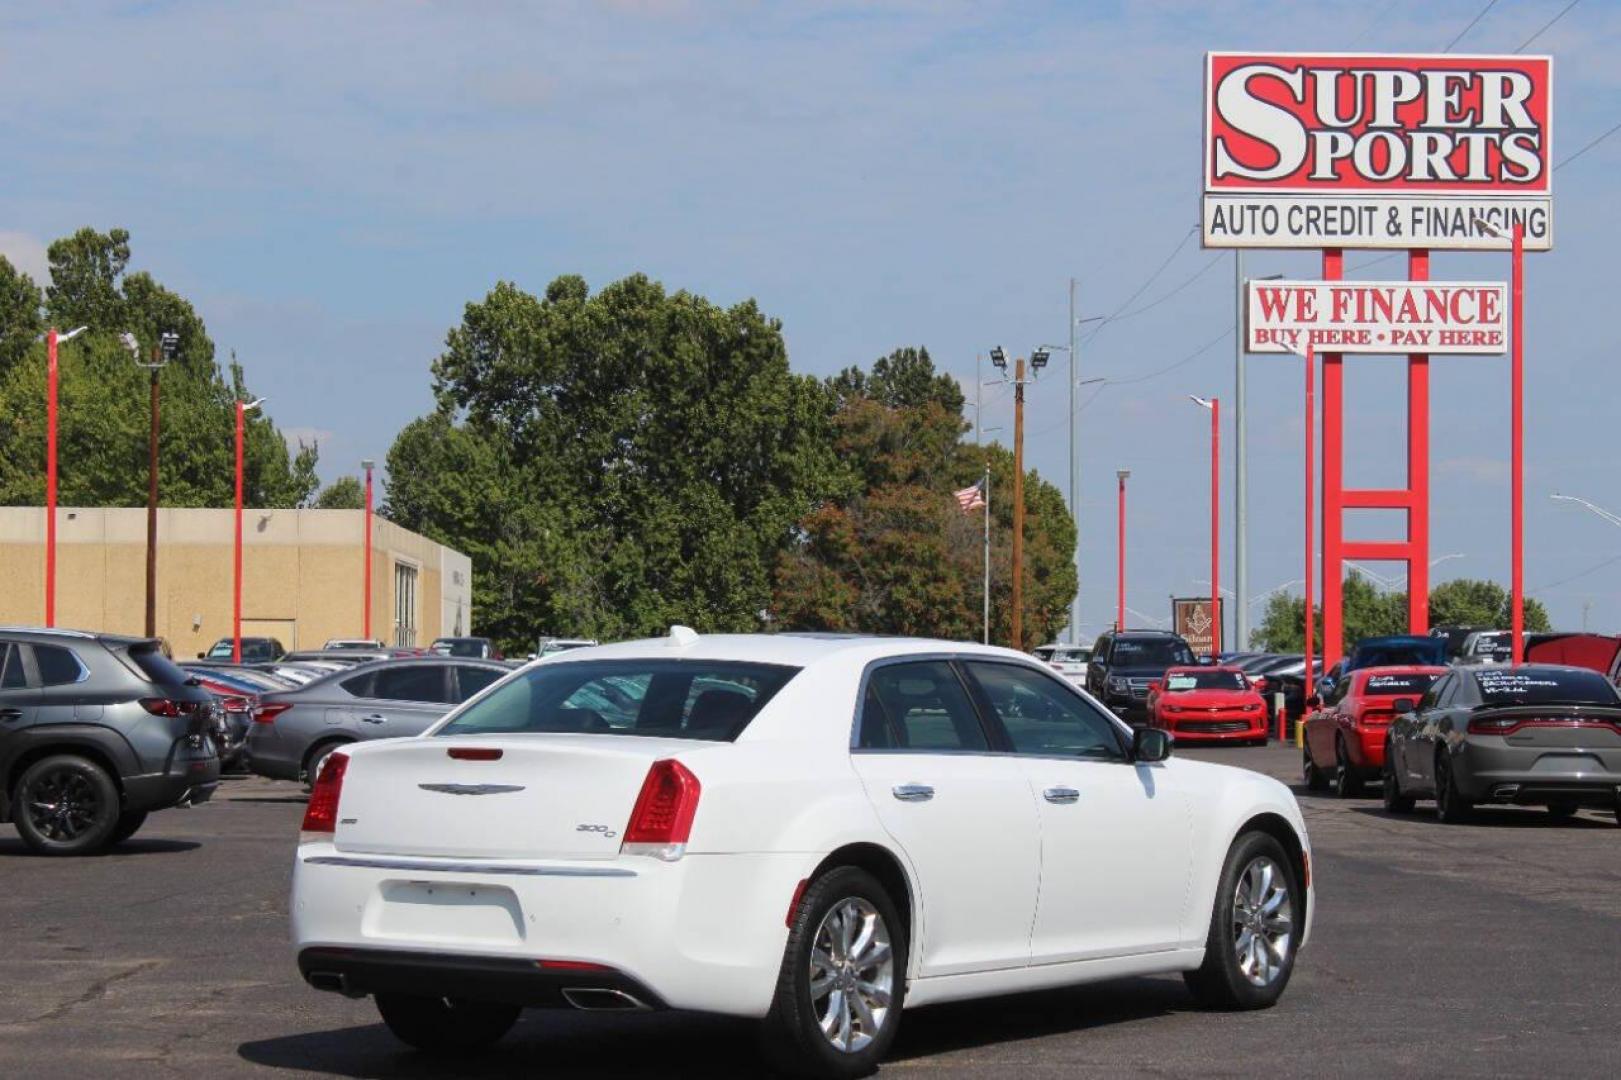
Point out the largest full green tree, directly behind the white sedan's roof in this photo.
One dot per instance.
(615, 463)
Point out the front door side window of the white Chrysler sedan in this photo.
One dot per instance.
(1045, 718)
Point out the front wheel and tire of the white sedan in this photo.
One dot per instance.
(1246, 969)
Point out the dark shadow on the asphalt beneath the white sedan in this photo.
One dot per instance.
(691, 1045)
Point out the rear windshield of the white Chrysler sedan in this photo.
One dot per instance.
(682, 700)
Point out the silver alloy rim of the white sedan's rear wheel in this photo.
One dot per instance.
(852, 974)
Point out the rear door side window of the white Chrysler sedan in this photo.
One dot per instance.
(920, 708)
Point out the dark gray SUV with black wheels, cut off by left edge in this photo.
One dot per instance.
(96, 732)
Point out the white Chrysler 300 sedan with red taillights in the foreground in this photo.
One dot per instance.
(815, 831)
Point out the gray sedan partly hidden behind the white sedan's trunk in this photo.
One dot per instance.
(294, 731)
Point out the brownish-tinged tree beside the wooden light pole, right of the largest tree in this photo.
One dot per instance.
(892, 552)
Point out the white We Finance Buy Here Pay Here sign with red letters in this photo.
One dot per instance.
(1379, 317)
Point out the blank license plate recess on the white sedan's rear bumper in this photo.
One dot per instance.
(445, 914)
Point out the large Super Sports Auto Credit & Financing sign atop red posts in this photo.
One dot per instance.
(1419, 152)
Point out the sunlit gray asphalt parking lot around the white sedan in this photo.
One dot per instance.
(1484, 949)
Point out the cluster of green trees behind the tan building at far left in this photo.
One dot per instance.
(103, 431)
